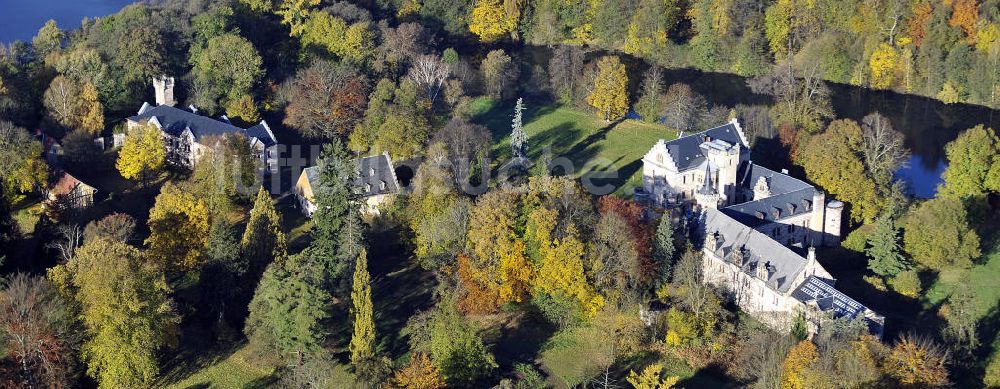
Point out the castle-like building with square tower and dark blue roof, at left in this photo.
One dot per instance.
(186, 133)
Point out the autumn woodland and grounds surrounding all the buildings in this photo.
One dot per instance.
(496, 266)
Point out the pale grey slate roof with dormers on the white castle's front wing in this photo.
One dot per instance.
(784, 265)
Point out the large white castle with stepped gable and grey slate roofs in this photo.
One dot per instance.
(758, 223)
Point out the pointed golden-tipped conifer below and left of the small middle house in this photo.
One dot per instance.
(263, 242)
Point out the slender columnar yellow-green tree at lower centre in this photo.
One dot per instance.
(363, 340)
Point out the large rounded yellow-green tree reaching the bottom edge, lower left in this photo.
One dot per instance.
(126, 310)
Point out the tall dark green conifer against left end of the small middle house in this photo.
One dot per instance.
(337, 230)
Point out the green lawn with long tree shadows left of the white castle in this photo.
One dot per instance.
(591, 144)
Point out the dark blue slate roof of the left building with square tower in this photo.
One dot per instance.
(174, 121)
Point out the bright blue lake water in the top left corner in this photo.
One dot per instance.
(20, 19)
